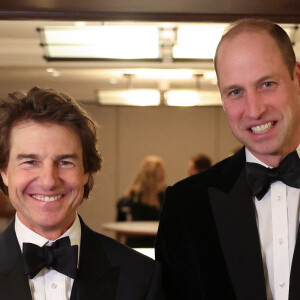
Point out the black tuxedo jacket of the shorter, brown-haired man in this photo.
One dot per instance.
(107, 270)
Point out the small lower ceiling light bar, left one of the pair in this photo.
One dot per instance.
(137, 97)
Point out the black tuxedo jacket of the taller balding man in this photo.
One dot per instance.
(208, 241)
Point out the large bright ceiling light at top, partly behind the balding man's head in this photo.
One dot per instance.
(163, 42)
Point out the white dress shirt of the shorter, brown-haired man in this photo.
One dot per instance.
(49, 284)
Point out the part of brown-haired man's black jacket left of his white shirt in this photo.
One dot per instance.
(13, 281)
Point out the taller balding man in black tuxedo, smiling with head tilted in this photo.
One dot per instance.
(231, 232)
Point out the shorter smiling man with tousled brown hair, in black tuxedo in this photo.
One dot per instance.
(48, 157)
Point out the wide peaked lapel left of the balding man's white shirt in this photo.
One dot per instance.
(234, 215)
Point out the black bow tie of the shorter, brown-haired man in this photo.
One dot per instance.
(60, 256)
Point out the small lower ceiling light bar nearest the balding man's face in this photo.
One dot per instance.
(192, 98)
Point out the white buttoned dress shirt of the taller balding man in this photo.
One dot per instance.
(277, 219)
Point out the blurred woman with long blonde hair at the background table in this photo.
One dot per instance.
(143, 199)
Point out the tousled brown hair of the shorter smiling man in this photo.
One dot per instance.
(49, 106)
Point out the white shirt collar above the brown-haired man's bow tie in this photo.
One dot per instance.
(26, 235)
